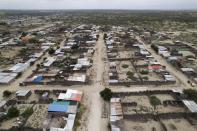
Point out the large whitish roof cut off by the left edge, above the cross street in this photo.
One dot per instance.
(6, 78)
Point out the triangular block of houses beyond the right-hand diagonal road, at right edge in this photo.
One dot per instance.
(182, 56)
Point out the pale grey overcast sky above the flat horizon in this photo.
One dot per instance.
(98, 4)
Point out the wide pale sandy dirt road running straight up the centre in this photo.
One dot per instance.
(95, 121)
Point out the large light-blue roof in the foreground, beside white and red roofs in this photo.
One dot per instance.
(57, 108)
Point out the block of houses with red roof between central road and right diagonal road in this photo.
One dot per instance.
(124, 47)
